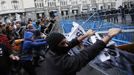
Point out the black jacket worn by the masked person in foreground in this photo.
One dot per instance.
(69, 65)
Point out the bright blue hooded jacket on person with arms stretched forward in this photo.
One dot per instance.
(28, 46)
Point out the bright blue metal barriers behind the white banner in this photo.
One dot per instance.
(97, 23)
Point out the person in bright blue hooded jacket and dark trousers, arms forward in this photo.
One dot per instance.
(26, 56)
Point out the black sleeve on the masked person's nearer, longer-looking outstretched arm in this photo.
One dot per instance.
(75, 63)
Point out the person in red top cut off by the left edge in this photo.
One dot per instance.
(5, 63)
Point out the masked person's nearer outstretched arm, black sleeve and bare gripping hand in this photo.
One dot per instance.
(86, 55)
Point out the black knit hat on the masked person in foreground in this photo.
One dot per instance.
(54, 39)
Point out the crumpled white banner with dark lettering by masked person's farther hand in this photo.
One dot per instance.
(77, 30)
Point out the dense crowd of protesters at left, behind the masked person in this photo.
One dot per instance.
(22, 46)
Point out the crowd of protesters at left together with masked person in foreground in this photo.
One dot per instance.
(23, 46)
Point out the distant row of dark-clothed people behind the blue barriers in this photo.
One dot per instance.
(114, 15)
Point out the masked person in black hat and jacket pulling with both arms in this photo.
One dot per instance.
(59, 62)
